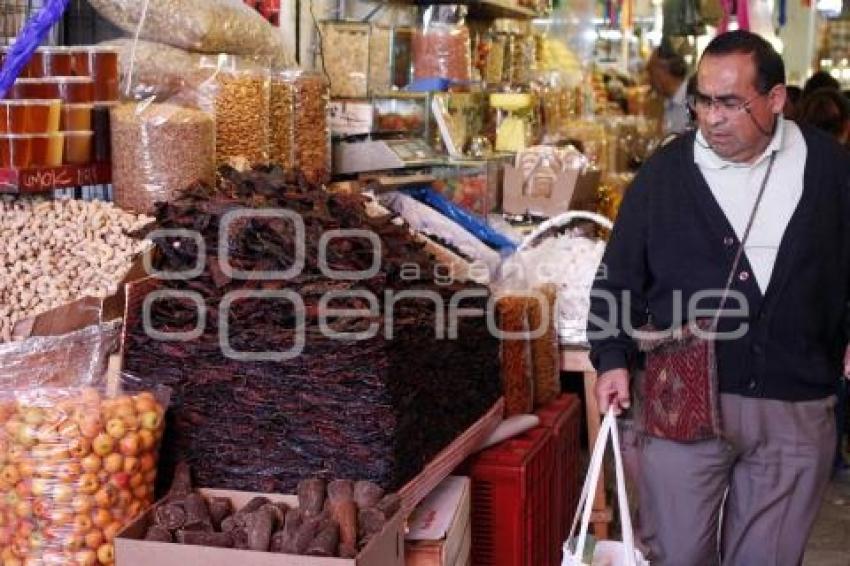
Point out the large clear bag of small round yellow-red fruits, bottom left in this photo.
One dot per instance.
(77, 464)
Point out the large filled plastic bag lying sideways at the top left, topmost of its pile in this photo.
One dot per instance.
(208, 26)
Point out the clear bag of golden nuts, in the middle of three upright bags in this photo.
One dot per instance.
(237, 93)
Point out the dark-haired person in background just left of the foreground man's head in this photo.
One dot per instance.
(668, 74)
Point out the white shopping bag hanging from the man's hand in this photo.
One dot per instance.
(606, 552)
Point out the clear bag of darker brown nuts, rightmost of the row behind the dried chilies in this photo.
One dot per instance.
(300, 135)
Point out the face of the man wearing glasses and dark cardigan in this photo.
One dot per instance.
(732, 115)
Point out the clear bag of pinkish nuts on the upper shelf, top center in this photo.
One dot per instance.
(442, 46)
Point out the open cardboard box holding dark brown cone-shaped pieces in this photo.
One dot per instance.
(385, 549)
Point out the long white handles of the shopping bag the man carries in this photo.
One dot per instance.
(585, 507)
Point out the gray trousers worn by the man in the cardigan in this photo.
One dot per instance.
(764, 482)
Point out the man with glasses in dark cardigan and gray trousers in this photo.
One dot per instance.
(751, 496)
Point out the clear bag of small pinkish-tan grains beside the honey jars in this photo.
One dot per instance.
(158, 150)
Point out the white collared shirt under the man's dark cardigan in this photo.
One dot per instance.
(735, 187)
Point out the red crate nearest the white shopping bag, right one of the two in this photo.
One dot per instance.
(563, 417)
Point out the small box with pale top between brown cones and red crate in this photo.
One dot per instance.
(440, 533)
